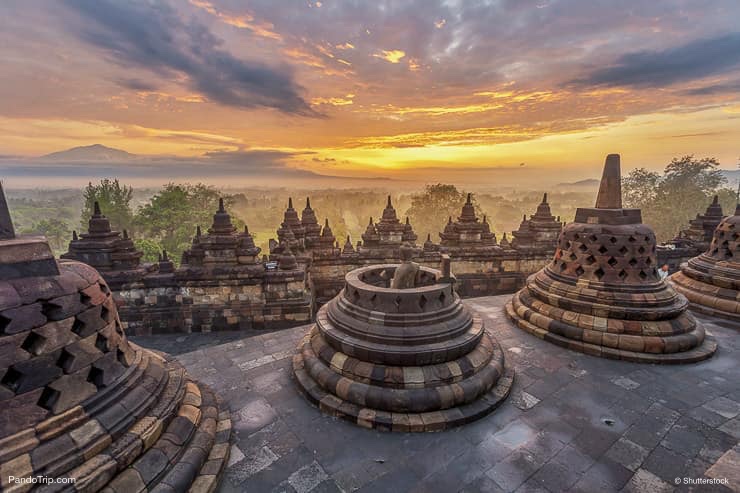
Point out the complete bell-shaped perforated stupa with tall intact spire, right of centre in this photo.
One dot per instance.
(601, 293)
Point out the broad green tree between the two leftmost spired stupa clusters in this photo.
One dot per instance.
(171, 216)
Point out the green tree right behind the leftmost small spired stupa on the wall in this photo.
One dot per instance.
(114, 200)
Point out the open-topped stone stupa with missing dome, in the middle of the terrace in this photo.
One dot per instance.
(413, 359)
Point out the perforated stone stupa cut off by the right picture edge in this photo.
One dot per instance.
(711, 281)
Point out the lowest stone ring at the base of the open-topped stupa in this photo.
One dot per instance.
(381, 420)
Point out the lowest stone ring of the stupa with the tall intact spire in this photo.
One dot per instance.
(699, 353)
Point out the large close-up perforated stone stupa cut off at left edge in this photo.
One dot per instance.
(79, 400)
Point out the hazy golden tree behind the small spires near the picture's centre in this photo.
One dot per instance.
(430, 210)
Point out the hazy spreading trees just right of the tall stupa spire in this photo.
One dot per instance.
(670, 200)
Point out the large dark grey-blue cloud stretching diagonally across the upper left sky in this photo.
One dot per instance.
(153, 36)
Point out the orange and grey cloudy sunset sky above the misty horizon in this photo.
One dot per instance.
(403, 89)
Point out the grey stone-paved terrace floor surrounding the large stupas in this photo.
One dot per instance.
(573, 422)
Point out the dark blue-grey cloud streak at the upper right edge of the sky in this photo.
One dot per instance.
(653, 69)
